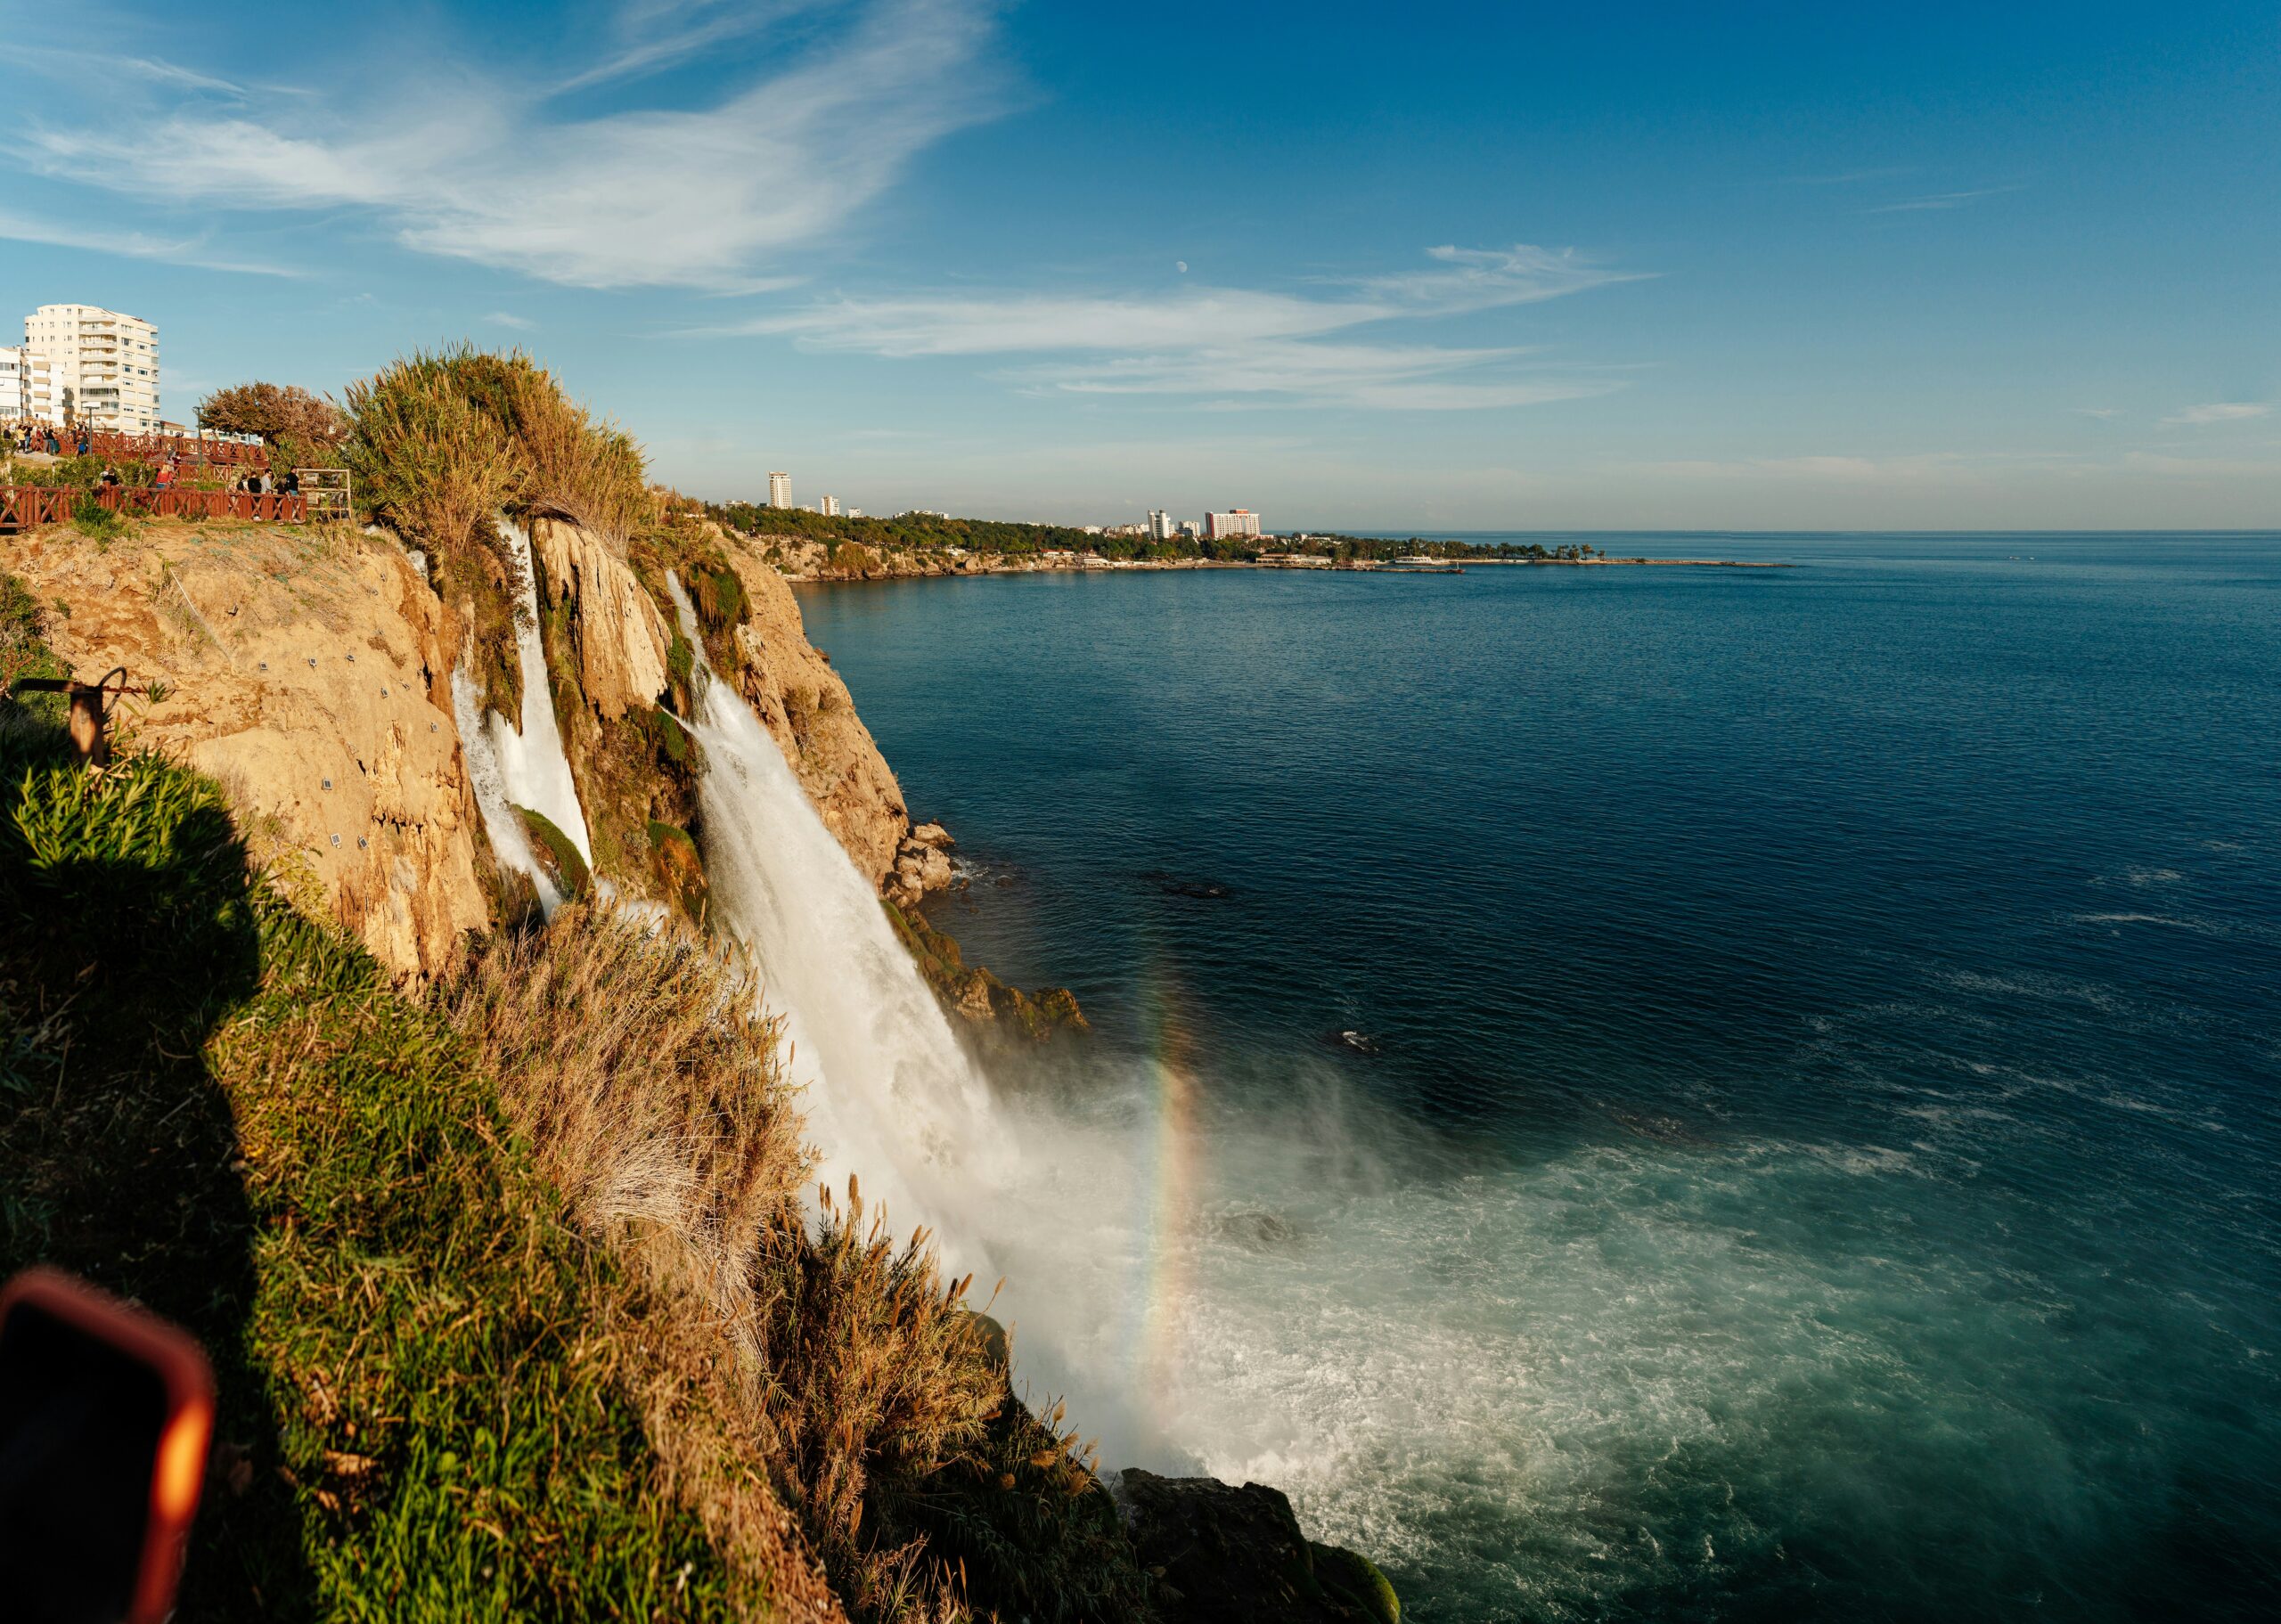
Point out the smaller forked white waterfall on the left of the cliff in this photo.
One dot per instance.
(521, 768)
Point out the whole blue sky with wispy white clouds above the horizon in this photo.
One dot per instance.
(1422, 266)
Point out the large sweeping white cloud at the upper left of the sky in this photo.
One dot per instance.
(476, 168)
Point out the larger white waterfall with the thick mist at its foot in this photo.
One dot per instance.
(1053, 1203)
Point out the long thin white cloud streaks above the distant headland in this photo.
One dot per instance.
(1237, 343)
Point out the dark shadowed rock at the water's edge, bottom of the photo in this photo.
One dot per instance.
(1237, 1557)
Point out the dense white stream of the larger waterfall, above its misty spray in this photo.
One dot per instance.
(895, 1098)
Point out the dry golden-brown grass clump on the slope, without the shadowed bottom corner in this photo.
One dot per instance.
(656, 1103)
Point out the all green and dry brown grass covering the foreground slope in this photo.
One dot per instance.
(510, 1294)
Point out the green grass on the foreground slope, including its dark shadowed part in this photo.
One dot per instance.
(220, 1110)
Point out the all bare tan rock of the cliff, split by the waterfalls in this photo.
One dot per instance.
(307, 669)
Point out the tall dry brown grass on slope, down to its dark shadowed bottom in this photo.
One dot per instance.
(857, 1379)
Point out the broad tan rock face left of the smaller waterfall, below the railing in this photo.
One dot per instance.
(305, 669)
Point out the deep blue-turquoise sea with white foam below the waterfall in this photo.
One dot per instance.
(1819, 1151)
